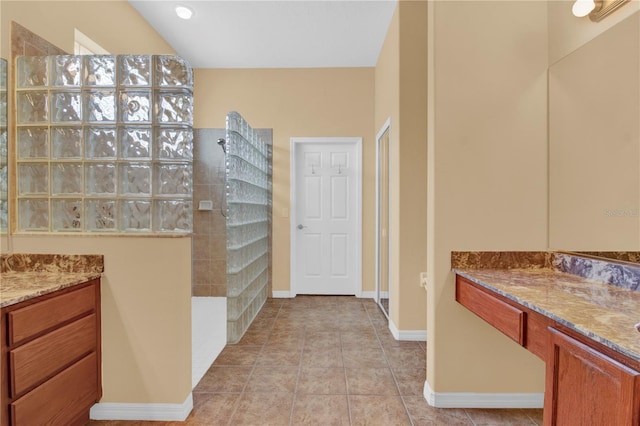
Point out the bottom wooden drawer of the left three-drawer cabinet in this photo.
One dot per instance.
(60, 400)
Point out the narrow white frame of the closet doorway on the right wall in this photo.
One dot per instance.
(385, 127)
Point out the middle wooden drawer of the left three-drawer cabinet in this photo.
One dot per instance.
(39, 359)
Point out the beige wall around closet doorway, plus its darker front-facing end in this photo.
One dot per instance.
(400, 93)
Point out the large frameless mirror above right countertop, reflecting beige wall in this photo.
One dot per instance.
(594, 143)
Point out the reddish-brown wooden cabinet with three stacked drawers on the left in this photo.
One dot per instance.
(51, 358)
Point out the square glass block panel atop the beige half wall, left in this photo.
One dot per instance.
(104, 144)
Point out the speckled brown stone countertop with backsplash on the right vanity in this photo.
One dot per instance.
(595, 298)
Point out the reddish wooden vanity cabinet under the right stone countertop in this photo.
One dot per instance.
(586, 382)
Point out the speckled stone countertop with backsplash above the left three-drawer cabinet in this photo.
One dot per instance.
(25, 276)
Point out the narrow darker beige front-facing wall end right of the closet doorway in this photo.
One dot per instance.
(412, 170)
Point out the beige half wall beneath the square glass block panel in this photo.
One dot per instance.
(146, 312)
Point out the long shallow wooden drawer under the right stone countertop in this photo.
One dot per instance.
(501, 315)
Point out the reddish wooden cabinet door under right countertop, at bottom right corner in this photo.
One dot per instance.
(585, 387)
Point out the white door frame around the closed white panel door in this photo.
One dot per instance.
(295, 143)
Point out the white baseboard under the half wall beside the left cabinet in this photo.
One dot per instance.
(134, 411)
